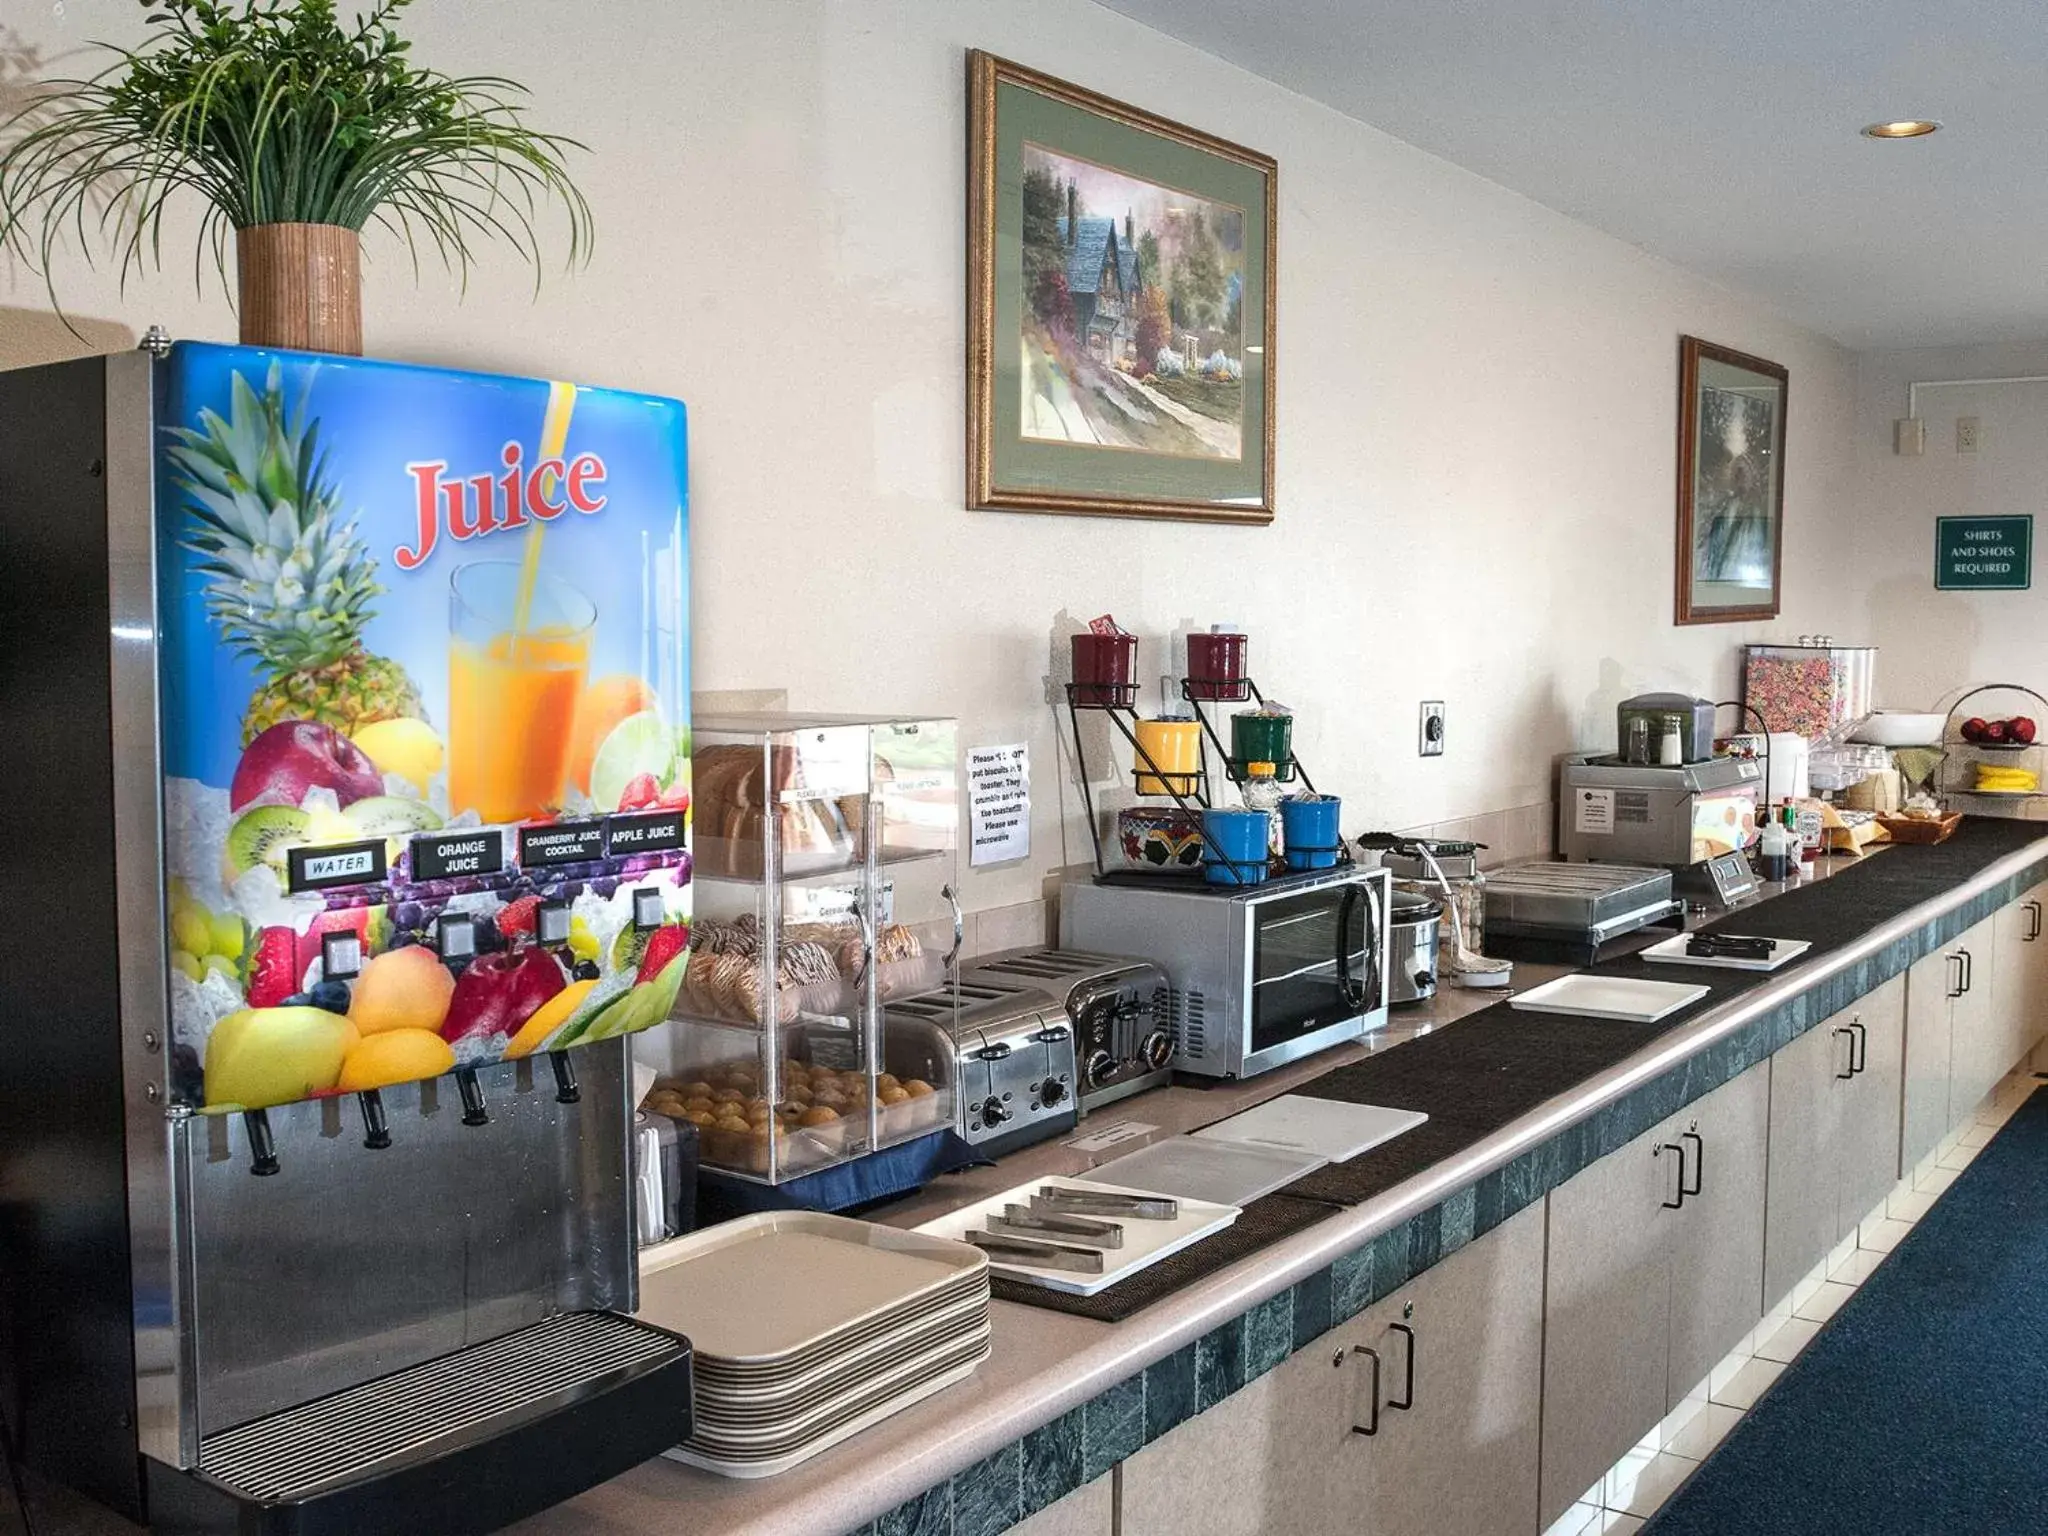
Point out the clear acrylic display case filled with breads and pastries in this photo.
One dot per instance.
(824, 886)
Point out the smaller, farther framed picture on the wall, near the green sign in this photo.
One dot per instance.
(1732, 450)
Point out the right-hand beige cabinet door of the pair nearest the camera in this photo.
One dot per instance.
(1463, 1459)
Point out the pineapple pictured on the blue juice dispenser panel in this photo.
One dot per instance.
(290, 583)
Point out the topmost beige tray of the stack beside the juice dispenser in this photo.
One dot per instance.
(779, 1283)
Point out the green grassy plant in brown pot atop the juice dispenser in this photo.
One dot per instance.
(298, 132)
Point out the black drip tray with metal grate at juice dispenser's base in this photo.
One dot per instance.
(466, 1443)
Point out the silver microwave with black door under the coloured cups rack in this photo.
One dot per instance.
(1258, 974)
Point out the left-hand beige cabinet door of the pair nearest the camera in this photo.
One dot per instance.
(1275, 1457)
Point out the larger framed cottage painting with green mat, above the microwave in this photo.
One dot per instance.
(1121, 308)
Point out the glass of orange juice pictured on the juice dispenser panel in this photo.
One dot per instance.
(513, 687)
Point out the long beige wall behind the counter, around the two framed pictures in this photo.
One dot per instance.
(1478, 400)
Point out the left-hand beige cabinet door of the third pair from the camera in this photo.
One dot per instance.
(1801, 1205)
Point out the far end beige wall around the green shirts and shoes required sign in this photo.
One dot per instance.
(1938, 642)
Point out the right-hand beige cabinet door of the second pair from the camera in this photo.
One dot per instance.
(1717, 1238)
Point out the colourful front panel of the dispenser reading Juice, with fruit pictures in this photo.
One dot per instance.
(425, 697)
